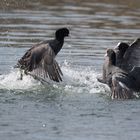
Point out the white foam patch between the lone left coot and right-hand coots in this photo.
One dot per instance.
(82, 80)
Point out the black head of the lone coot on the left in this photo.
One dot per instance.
(61, 33)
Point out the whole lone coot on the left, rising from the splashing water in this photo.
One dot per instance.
(40, 59)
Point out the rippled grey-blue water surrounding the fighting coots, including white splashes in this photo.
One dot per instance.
(79, 108)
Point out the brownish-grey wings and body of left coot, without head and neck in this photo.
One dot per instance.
(39, 62)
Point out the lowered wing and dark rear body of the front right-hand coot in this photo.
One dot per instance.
(123, 84)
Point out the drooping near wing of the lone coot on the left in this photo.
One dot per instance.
(47, 66)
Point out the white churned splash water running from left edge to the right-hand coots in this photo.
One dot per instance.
(77, 80)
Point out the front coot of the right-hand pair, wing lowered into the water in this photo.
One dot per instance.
(123, 84)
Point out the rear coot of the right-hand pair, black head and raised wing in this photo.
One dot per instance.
(128, 56)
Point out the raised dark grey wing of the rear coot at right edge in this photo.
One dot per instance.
(132, 56)
